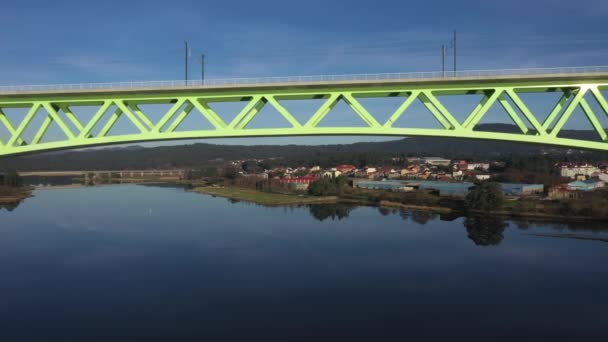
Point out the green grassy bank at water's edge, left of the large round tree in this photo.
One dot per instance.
(263, 198)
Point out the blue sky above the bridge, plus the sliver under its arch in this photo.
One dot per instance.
(82, 41)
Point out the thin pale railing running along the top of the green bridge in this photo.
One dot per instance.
(260, 81)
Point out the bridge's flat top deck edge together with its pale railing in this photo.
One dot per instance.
(306, 82)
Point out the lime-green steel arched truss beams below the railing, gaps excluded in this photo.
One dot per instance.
(114, 105)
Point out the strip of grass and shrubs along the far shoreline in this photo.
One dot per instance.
(530, 209)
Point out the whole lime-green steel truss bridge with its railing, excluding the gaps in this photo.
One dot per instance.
(60, 104)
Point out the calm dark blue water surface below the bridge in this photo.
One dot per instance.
(134, 261)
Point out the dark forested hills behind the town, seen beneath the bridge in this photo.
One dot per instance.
(194, 155)
